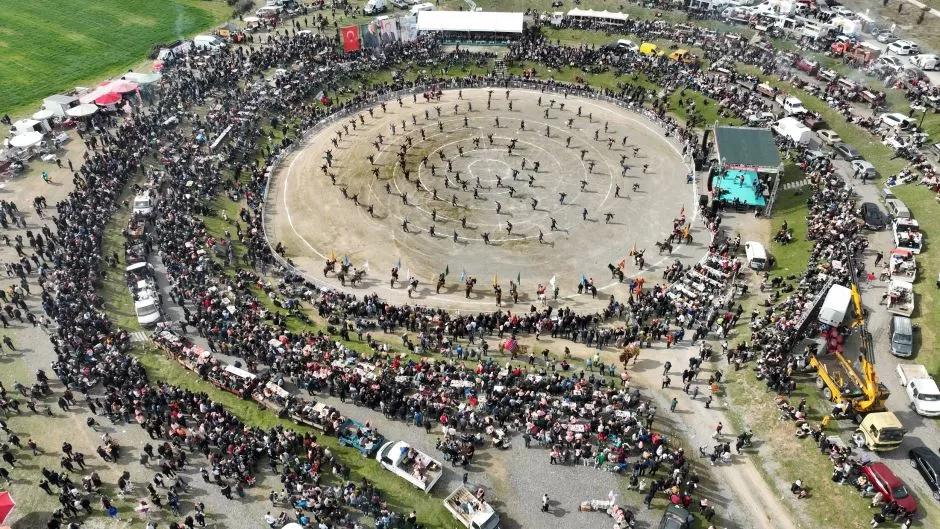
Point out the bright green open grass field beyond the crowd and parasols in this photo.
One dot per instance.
(53, 45)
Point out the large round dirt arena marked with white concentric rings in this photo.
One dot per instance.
(489, 173)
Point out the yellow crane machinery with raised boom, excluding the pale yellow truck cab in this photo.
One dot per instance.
(839, 380)
